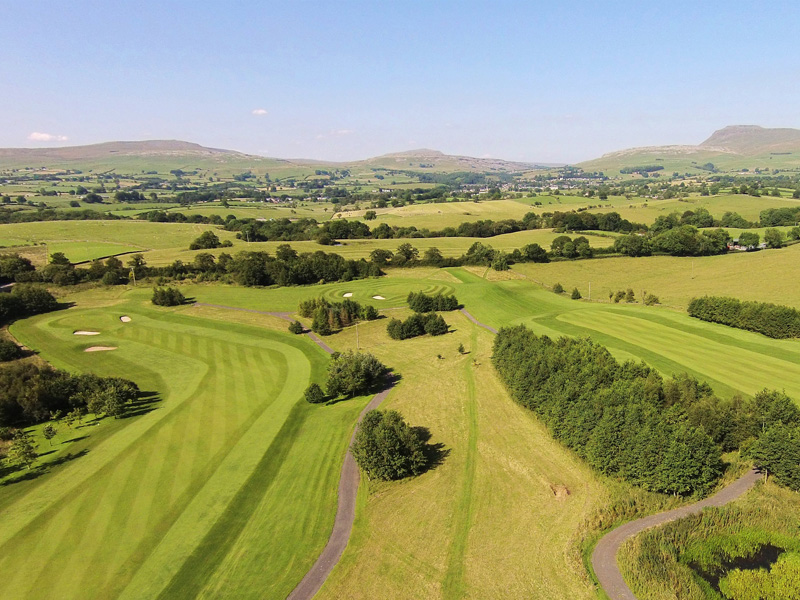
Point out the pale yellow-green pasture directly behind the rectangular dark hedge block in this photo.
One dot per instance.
(766, 276)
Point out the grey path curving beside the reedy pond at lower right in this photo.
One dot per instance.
(604, 557)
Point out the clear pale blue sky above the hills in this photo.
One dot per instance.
(555, 81)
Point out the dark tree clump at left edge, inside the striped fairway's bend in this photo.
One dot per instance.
(30, 394)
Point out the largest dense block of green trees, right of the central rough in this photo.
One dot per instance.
(624, 419)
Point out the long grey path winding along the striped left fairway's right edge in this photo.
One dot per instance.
(348, 485)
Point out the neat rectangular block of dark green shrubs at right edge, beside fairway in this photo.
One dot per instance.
(771, 320)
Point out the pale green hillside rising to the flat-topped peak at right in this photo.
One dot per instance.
(731, 148)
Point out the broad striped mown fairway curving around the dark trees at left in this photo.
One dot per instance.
(230, 466)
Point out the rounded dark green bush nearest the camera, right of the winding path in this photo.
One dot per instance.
(386, 448)
